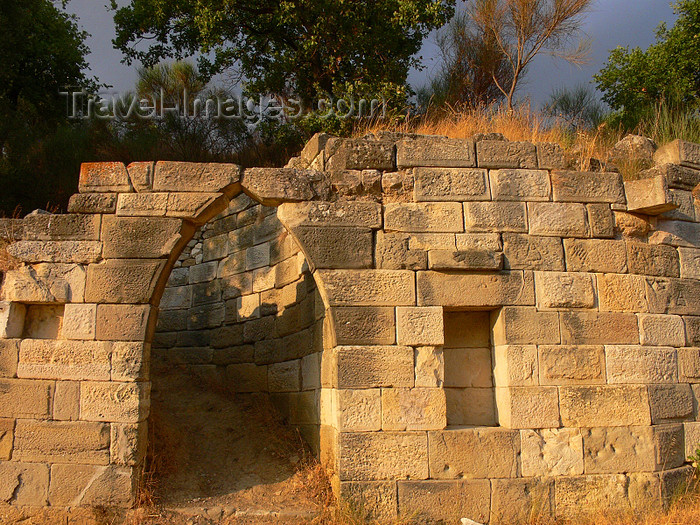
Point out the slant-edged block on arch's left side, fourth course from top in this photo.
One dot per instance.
(122, 280)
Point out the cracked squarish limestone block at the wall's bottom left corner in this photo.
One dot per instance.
(24, 483)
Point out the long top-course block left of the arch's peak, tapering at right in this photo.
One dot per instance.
(194, 176)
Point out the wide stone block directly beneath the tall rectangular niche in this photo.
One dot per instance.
(474, 453)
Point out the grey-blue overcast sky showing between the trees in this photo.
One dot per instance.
(610, 23)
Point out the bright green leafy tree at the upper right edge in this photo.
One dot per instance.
(633, 81)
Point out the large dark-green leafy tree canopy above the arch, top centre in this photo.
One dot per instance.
(302, 48)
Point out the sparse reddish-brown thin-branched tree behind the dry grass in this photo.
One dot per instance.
(522, 29)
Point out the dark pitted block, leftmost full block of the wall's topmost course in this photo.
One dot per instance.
(358, 154)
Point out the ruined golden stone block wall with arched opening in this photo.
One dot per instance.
(501, 335)
